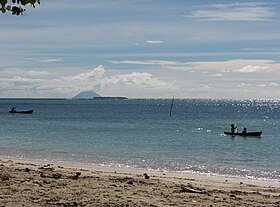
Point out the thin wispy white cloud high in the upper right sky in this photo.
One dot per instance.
(252, 11)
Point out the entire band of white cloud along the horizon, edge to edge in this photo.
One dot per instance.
(238, 78)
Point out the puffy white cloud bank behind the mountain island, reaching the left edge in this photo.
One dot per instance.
(15, 83)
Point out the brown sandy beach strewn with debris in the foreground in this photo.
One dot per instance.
(25, 183)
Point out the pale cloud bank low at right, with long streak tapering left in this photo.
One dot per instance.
(218, 79)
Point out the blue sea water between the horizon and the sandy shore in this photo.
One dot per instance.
(139, 133)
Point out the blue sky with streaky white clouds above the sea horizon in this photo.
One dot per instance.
(142, 49)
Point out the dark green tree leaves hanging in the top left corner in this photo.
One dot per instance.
(16, 7)
